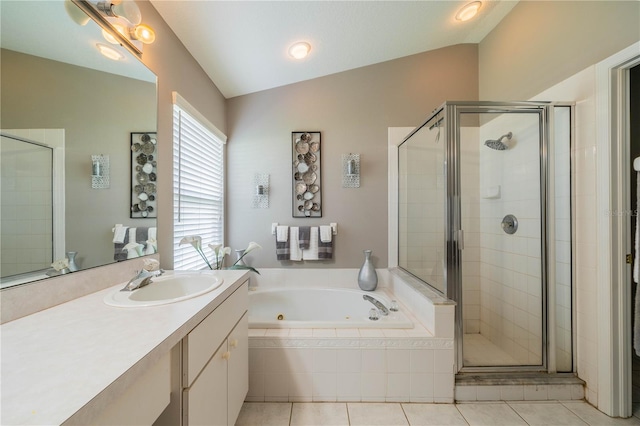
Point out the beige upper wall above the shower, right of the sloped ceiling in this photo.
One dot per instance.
(541, 43)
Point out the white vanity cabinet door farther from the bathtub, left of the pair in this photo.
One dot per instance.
(205, 402)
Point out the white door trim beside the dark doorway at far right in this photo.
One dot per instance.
(614, 338)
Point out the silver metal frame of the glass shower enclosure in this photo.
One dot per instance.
(451, 113)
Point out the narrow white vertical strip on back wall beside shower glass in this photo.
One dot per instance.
(395, 136)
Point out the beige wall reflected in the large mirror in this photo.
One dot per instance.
(97, 119)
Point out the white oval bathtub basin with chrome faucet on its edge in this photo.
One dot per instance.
(319, 308)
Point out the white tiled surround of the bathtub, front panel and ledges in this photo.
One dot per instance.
(354, 364)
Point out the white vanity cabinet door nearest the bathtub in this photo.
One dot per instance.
(238, 374)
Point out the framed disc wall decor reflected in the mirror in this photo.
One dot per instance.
(144, 157)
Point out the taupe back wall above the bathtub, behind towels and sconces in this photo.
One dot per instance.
(353, 110)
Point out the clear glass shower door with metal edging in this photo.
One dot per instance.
(501, 187)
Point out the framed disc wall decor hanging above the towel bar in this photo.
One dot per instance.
(307, 187)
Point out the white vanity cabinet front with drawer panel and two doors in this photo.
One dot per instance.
(215, 364)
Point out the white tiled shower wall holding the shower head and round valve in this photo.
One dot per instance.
(511, 290)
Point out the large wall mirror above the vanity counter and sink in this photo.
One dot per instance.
(57, 90)
